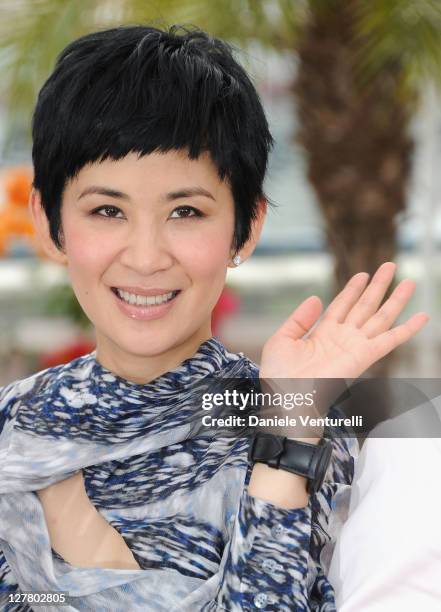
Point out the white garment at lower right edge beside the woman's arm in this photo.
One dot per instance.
(388, 555)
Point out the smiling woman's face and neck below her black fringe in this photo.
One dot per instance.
(161, 223)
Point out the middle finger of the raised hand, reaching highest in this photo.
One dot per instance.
(371, 298)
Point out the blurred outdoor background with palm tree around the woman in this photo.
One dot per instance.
(351, 90)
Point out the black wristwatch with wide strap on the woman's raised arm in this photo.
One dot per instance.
(308, 460)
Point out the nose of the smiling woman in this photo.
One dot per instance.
(146, 249)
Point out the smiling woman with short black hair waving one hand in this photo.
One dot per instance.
(150, 150)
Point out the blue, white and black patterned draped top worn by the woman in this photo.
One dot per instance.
(168, 488)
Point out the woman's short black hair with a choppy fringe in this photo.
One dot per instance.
(140, 89)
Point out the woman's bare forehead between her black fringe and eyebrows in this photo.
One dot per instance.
(157, 171)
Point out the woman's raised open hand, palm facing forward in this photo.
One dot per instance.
(354, 332)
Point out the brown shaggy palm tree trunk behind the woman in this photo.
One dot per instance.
(355, 134)
